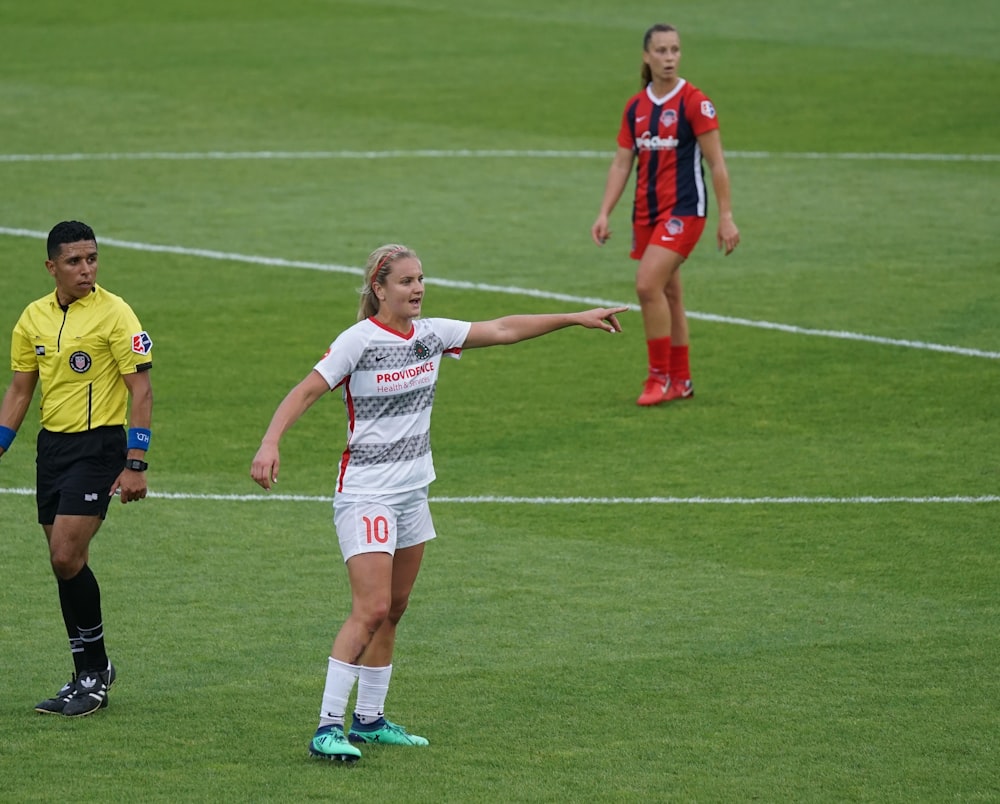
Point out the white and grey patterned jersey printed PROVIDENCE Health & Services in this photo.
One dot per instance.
(388, 385)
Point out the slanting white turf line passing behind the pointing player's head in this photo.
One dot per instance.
(516, 291)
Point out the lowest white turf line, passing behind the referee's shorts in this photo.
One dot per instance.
(500, 500)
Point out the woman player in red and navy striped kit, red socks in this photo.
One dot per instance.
(667, 129)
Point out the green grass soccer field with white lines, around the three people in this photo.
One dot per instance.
(785, 590)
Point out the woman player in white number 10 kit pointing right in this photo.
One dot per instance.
(387, 366)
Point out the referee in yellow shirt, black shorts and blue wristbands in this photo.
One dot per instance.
(91, 354)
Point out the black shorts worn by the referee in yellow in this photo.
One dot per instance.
(74, 471)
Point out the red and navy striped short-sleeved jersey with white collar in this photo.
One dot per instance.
(663, 132)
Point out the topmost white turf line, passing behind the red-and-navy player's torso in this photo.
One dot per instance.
(145, 156)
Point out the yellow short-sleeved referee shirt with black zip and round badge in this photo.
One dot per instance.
(80, 354)
